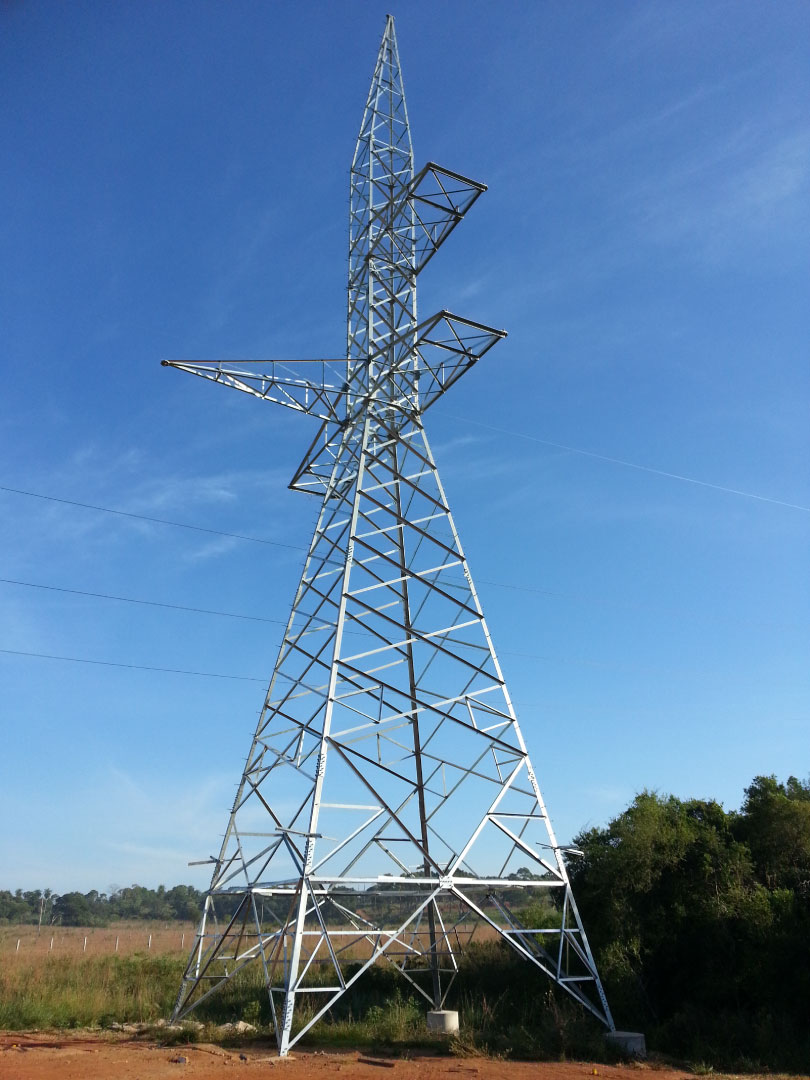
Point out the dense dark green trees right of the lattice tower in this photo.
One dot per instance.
(700, 922)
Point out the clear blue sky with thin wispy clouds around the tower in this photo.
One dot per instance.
(174, 184)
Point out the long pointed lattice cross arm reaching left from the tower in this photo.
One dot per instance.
(316, 387)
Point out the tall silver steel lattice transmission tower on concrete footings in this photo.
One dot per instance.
(388, 806)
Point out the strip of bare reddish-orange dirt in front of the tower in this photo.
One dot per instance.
(89, 1057)
